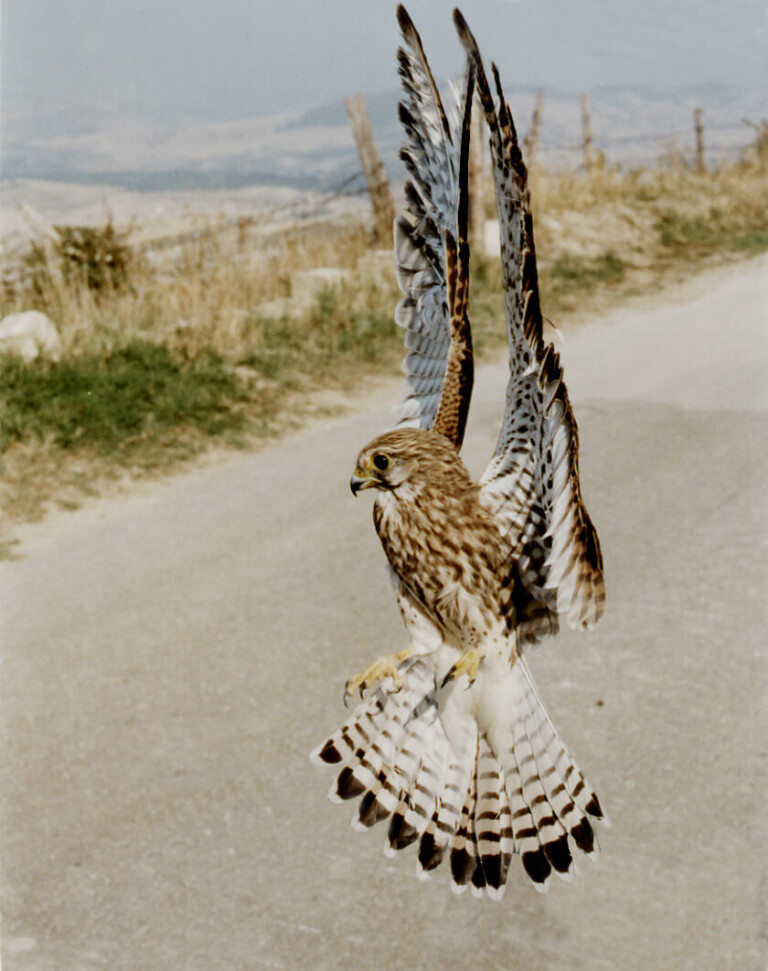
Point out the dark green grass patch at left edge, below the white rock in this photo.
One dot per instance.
(103, 402)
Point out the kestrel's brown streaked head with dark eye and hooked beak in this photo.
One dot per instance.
(405, 455)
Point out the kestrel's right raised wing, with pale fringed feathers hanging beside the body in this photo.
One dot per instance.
(531, 483)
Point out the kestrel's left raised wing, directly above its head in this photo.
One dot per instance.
(431, 249)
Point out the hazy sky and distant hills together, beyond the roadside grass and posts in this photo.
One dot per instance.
(130, 101)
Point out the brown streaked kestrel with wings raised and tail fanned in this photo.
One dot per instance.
(453, 744)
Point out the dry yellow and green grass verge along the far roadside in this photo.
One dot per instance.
(231, 338)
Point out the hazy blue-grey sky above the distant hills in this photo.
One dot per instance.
(253, 56)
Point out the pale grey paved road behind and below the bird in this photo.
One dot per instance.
(170, 659)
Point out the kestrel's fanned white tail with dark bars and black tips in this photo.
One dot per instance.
(464, 791)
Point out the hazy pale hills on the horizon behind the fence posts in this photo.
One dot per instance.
(632, 125)
